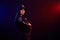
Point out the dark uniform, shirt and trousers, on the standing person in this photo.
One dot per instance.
(23, 28)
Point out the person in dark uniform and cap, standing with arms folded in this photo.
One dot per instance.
(23, 24)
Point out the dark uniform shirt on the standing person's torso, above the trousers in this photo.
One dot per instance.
(21, 25)
